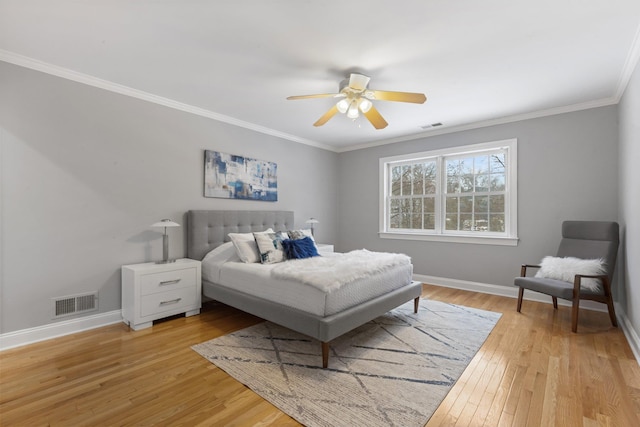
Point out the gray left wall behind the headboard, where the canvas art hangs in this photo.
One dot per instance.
(85, 172)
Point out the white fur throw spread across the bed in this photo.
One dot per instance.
(331, 272)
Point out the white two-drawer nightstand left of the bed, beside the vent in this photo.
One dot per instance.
(152, 291)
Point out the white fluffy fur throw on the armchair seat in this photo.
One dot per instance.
(566, 268)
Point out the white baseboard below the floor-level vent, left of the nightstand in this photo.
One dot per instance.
(58, 329)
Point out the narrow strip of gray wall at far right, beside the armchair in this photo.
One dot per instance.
(629, 194)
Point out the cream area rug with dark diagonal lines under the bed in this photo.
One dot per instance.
(392, 371)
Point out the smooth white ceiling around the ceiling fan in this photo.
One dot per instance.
(478, 62)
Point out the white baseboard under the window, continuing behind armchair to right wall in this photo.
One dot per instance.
(512, 292)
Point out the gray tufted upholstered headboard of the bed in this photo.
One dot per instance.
(207, 230)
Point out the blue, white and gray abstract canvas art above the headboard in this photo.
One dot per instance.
(229, 176)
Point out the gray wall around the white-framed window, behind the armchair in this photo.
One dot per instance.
(567, 169)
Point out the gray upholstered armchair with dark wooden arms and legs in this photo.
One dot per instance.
(580, 239)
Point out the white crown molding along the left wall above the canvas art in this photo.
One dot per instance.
(65, 73)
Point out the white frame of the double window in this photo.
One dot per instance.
(508, 238)
